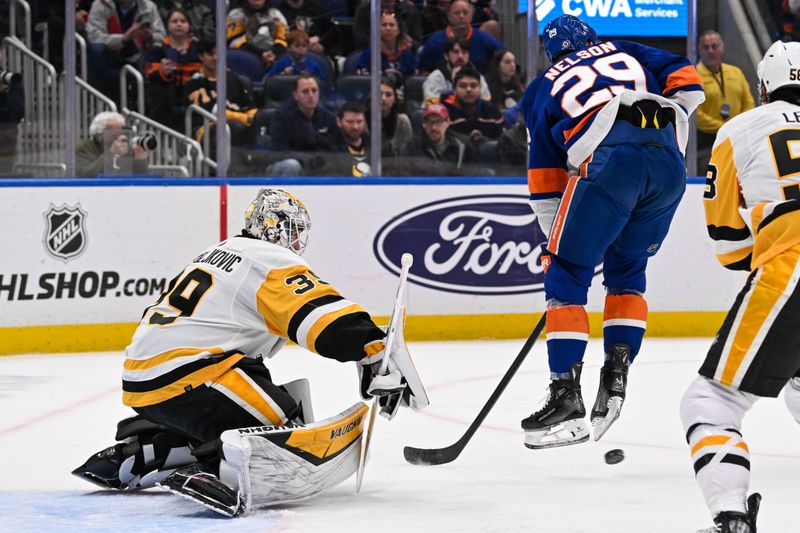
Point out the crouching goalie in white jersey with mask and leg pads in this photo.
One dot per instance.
(211, 424)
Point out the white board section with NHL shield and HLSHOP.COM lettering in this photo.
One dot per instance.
(94, 255)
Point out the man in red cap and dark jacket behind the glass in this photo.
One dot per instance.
(438, 151)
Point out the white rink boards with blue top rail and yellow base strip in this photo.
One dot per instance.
(82, 259)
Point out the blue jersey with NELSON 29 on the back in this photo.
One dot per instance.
(571, 107)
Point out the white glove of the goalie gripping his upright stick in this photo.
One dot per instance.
(390, 388)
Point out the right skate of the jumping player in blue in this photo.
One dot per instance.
(611, 392)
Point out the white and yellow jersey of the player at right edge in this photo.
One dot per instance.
(752, 196)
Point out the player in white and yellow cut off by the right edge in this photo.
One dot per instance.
(752, 206)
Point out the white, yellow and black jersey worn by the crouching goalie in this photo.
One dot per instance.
(243, 297)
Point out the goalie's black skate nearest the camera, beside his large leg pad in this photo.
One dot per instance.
(197, 483)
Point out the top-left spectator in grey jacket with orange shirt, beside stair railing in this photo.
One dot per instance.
(119, 31)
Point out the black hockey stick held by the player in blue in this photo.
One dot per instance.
(440, 456)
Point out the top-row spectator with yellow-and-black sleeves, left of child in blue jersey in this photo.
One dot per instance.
(258, 28)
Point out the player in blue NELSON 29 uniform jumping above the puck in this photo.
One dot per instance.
(616, 113)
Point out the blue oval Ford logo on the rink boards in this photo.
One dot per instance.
(485, 244)
